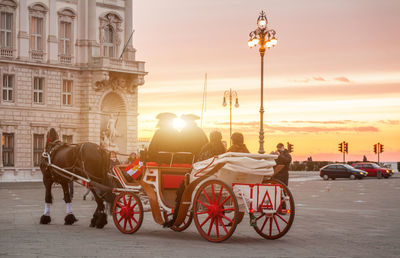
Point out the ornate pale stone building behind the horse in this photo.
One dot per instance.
(61, 67)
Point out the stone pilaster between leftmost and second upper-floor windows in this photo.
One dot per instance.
(23, 33)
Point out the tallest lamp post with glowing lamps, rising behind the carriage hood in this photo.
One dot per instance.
(266, 39)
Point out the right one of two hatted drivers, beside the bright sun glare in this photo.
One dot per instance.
(193, 137)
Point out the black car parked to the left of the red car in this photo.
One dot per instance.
(341, 171)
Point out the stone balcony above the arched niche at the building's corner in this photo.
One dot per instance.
(118, 65)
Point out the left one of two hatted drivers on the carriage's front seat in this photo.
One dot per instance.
(166, 138)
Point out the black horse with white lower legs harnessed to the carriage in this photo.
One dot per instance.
(87, 160)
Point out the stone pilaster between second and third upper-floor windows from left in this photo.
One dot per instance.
(52, 41)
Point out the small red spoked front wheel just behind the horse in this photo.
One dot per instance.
(127, 212)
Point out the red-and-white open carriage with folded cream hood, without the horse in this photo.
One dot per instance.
(216, 194)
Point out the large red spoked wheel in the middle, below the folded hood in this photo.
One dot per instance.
(215, 211)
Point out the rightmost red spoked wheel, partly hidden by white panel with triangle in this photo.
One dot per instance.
(275, 225)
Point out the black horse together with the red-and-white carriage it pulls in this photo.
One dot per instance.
(216, 193)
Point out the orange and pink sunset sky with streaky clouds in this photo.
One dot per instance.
(334, 75)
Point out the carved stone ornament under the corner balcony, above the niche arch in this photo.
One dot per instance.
(120, 82)
